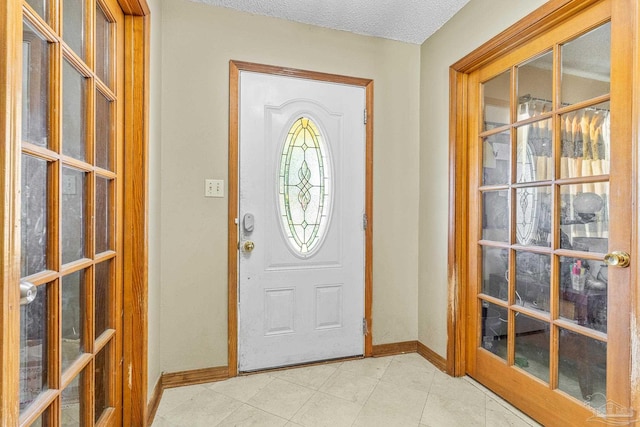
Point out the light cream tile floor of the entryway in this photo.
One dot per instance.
(403, 390)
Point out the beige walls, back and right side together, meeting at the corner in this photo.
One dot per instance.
(192, 45)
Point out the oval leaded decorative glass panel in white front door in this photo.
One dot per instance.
(304, 187)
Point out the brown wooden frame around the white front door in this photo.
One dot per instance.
(234, 73)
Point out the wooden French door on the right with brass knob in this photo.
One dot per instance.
(550, 202)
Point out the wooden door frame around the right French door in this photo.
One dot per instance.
(539, 21)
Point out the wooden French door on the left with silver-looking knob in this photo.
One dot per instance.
(71, 216)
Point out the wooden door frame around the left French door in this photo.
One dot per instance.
(134, 336)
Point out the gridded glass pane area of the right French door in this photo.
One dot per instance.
(543, 228)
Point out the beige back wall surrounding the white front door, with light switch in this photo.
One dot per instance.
(189, 256)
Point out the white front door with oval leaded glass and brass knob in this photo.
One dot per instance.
(301, 208)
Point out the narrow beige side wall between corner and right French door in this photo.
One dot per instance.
(475, 24)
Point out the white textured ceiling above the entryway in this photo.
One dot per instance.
(410, 21)
